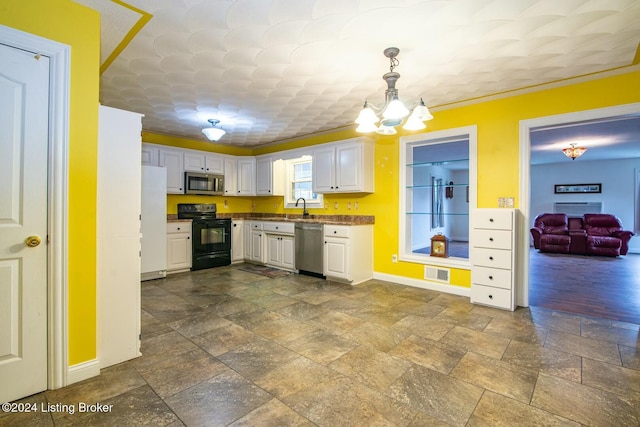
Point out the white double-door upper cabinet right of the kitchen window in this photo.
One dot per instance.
(344, 167)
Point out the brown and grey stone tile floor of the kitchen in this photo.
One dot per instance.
(227, 347)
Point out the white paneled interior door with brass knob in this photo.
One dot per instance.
(24, 105)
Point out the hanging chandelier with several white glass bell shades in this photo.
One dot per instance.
(393, 111)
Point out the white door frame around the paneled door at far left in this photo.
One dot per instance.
(57, 277)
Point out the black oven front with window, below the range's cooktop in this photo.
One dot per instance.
(211, 243)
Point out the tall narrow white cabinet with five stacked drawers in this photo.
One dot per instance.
(493, 258)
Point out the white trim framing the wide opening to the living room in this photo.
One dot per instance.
(522, 292)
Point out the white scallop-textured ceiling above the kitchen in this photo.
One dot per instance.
(271, 70)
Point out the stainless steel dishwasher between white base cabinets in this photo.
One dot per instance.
(309, 248)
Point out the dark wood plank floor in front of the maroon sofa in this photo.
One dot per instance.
(602, 287)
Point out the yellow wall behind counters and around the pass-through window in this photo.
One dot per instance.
(498, 124)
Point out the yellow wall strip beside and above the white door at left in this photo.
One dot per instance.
(69, 23)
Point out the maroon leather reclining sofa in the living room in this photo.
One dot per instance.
(592, 234)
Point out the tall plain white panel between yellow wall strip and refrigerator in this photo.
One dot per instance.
(118, 265)
